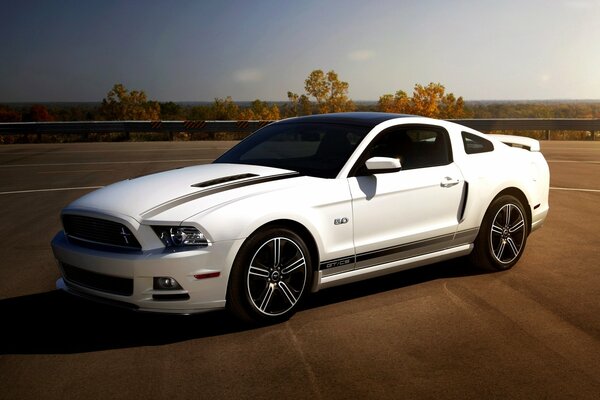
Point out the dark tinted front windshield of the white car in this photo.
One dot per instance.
(313, 149)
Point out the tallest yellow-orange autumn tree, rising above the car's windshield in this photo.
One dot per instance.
(329, 91)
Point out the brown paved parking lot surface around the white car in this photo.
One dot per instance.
(442, 331)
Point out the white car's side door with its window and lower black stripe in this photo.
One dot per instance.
(410, 212)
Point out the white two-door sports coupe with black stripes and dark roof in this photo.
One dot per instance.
(301, 205)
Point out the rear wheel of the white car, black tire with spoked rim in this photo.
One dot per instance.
(502, 235)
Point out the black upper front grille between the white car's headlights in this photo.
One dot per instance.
(95, 232)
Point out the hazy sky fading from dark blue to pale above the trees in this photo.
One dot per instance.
(178, 50)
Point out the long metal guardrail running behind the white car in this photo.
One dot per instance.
(171, 127)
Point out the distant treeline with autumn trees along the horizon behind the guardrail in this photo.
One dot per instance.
(324, 93)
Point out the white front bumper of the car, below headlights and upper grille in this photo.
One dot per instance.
(103, 275)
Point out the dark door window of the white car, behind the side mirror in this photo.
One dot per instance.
(415, 147)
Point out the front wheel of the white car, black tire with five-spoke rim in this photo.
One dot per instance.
(270, 277)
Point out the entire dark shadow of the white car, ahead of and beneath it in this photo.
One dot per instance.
(58, 323)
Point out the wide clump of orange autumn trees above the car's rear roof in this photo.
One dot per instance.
(428, 101)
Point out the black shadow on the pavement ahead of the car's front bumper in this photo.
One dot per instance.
(58, 323)
